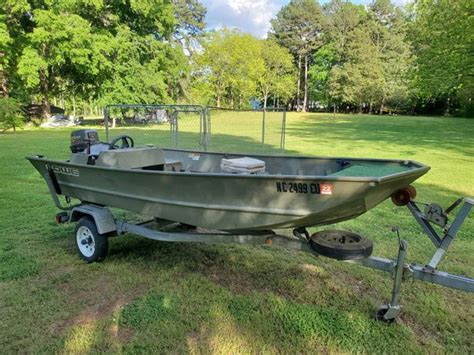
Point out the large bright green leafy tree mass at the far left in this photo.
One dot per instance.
(85, 47)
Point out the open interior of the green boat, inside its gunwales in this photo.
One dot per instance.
(157, 159)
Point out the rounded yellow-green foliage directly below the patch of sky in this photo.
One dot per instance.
(235, 67)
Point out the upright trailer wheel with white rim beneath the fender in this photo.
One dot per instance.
(91, 245)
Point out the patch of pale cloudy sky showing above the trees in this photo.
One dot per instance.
(249, 15)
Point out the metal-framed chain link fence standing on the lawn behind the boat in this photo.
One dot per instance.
(199, 127)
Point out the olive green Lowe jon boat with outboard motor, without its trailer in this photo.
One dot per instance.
(198, 189)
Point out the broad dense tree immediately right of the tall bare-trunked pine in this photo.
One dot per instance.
(371, 58)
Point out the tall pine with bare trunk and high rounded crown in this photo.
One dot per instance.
(298, 27)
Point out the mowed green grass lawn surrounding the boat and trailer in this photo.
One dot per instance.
(170, 297)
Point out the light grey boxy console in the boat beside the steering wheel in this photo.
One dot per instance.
(131, 158)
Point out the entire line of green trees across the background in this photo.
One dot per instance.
(377, 58)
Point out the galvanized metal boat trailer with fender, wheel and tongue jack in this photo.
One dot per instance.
(98, 221)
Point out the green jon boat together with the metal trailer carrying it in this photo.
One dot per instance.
(241, 199)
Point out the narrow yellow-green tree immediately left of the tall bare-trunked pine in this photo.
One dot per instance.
(277, 76)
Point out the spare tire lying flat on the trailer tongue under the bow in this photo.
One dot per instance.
(341, 245)
